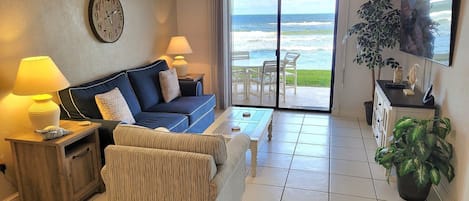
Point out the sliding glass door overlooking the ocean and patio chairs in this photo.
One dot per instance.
(301, 34)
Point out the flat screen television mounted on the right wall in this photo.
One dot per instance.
(428, 28)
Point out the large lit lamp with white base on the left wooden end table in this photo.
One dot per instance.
(39, 76)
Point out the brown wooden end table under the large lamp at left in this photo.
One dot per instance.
(62, 169)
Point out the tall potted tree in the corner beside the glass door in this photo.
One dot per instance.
(379, 29)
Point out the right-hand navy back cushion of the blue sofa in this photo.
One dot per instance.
(143, 82)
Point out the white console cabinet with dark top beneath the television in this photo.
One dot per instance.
(390, 105)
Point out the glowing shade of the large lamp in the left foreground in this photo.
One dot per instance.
(38, 75)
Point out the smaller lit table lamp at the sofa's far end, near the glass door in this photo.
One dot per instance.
(179, 46)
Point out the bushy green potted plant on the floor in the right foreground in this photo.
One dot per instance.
(419, 151)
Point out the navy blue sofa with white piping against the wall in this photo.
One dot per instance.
(192, 112)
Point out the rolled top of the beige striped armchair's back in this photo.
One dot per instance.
(213, 145)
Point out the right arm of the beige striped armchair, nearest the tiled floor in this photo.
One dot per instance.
(236, 150)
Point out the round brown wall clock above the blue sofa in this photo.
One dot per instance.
(106, 19)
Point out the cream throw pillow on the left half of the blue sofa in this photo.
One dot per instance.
(113, 106)
